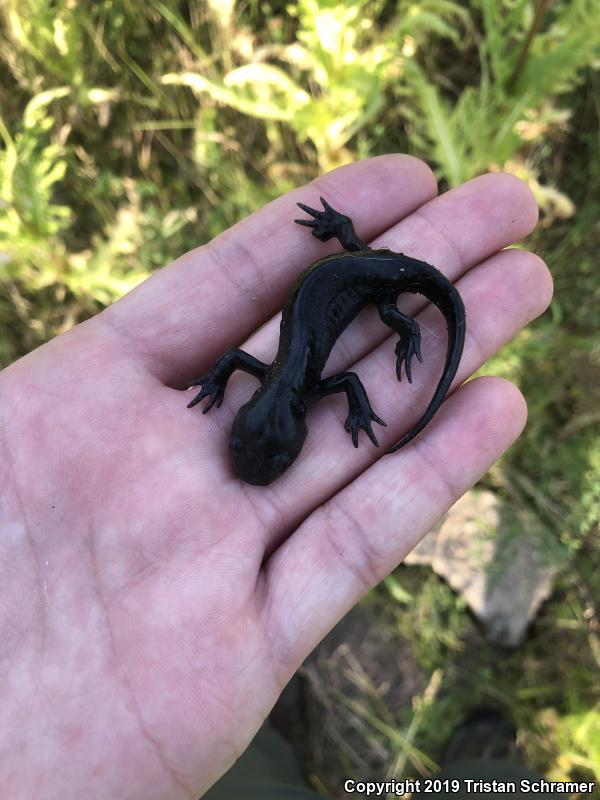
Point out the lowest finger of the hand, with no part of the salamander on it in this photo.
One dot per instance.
(362, 533)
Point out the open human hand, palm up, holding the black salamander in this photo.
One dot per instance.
(152, 606)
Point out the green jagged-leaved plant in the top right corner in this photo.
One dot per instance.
(468, 129)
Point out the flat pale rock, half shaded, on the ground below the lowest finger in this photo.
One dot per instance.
(493, 559)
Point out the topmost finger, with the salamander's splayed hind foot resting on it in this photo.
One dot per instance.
(185, 315)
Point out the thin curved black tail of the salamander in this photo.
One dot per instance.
(444, 295)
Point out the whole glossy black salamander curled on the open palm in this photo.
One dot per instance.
(269, 431)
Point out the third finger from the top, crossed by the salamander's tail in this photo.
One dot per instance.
(501, 296)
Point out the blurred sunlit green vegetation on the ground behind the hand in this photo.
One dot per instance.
(133, 132)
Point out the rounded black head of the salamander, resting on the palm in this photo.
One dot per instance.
(266, 437)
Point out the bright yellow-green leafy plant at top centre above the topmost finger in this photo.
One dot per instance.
(339, 53)
